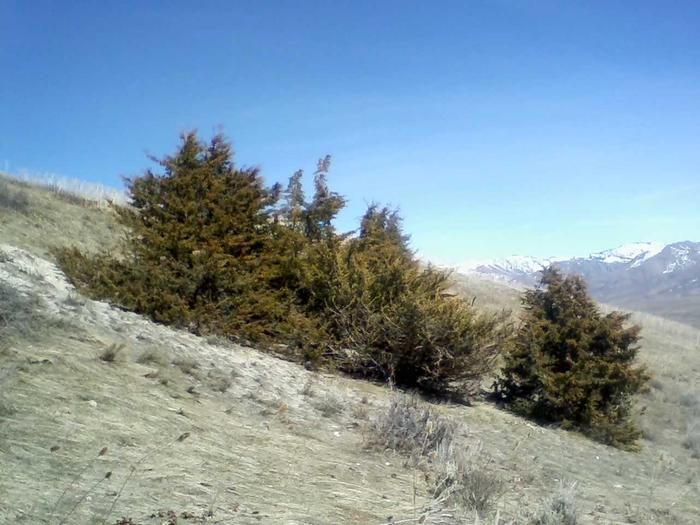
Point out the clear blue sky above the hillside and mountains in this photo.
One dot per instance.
(501, 127)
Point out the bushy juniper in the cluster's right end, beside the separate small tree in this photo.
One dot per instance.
(395, 319)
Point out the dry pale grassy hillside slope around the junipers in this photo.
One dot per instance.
(280, 444)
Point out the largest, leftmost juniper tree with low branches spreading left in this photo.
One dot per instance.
(201, 251)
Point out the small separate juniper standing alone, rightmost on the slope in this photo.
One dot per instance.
(568, 363)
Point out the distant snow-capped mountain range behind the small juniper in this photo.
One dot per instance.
(645, 276)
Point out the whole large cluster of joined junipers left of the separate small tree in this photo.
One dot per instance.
(211, 249)
